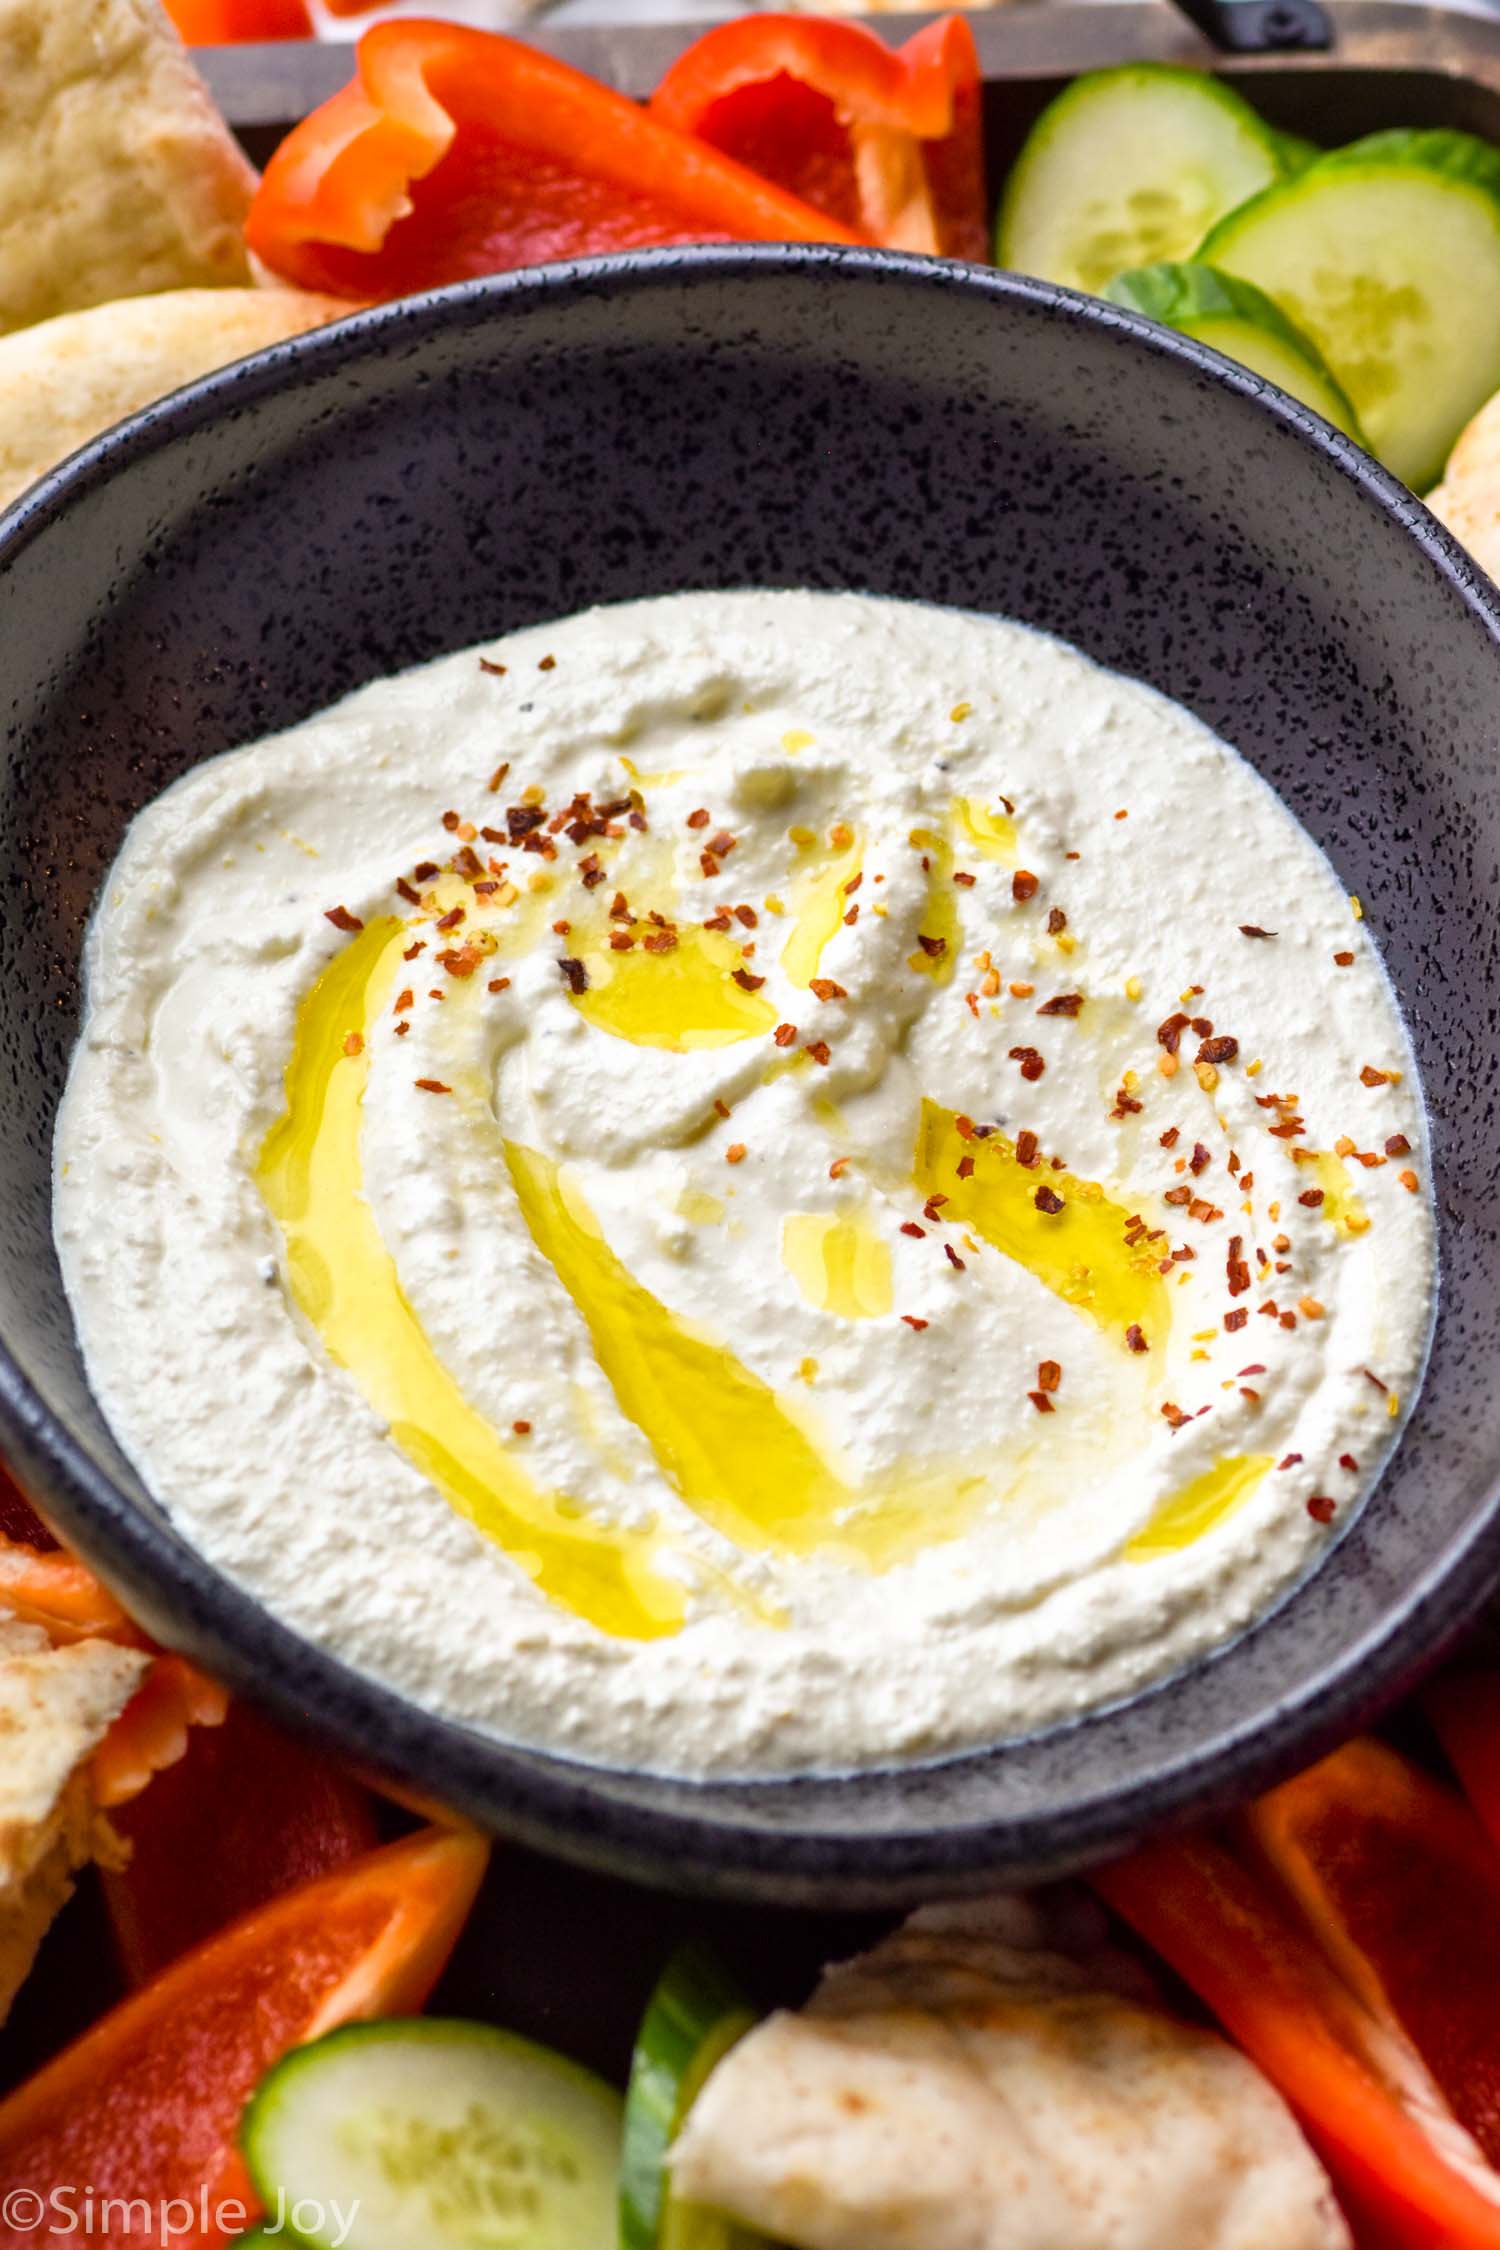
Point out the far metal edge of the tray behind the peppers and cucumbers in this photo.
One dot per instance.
(1389, 64)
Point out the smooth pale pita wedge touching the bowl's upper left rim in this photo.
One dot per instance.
(69, 379)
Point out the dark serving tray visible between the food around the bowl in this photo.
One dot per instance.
(557, 1952)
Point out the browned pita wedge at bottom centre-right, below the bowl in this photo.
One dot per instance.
(968, 2089)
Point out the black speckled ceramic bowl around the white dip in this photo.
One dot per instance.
(464, 465)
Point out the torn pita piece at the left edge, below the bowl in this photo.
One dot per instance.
(55, 1709)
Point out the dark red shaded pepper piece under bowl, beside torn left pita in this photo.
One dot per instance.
(244, 1817)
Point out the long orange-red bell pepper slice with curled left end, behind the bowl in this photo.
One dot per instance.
(462, 154)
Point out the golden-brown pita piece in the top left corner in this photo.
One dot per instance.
(118, 174)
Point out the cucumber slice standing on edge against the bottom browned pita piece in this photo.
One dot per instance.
(692, 2022)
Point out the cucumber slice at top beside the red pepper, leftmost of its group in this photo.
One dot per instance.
(1130, 168)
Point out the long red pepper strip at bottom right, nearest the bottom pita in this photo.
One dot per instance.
(1357, 2089)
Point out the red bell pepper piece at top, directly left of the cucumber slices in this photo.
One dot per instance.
(889, 143)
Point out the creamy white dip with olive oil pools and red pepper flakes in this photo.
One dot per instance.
(748, 1182)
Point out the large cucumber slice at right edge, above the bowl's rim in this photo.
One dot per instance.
(1389, 258)
